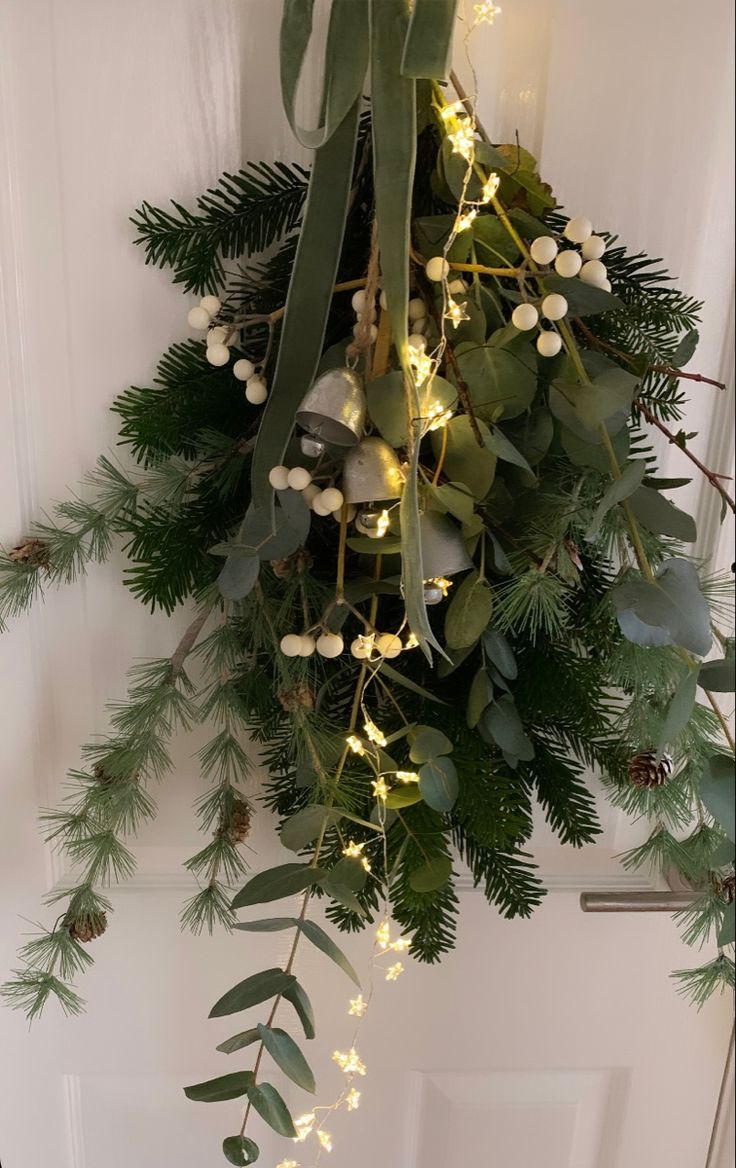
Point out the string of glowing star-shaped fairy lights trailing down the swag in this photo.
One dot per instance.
(314, 1127)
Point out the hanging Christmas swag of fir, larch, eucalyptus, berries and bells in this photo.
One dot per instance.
(406, 479)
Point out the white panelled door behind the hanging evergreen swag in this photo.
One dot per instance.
(552, 1044)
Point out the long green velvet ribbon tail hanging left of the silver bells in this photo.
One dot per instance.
(309, 300)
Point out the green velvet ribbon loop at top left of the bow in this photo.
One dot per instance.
(346, 62)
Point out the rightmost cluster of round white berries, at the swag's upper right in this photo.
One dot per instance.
(586, 265)
